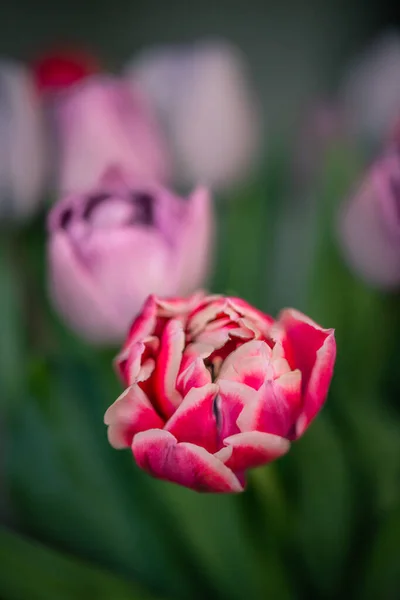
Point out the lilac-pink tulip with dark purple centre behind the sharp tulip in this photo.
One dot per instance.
(110, 248)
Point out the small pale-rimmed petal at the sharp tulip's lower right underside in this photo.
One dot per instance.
(252, 449)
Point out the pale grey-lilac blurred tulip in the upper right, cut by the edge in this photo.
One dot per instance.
(370, 92)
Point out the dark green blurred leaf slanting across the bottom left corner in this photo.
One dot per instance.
(30, 571)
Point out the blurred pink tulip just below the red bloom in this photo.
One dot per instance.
(101, 123)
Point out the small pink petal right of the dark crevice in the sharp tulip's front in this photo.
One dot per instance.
(232, 398)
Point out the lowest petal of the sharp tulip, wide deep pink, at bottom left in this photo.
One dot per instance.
(158, 452)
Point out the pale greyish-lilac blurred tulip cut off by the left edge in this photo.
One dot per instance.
(22, 143)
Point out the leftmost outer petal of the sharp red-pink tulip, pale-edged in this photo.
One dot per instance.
(131, 412)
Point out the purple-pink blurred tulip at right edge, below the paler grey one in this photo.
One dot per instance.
(369, 225)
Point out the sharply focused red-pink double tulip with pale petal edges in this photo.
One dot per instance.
(216, 387)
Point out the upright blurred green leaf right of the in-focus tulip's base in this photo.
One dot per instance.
(324, 506)
